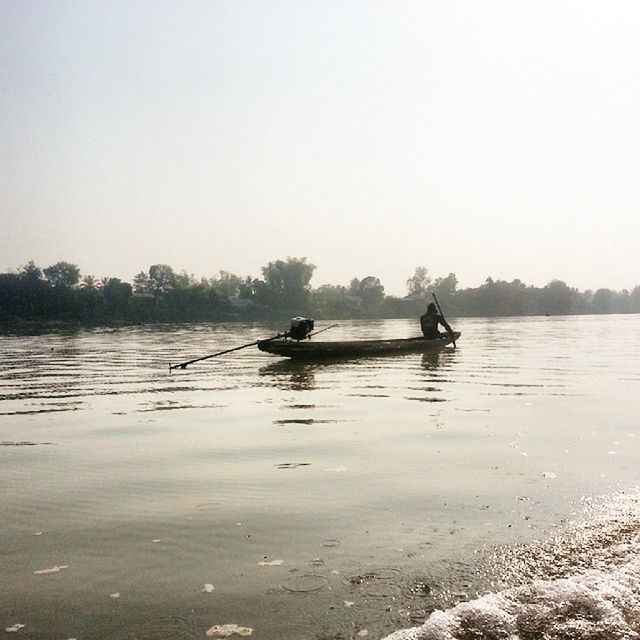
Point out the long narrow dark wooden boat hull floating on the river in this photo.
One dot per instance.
(310, 350)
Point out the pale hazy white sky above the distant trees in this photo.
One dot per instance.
(496, 138)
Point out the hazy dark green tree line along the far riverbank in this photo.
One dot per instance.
(60, 293)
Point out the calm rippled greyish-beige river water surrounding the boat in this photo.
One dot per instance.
(479, 490)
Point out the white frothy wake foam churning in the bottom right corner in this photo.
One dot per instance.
(583, 583)
